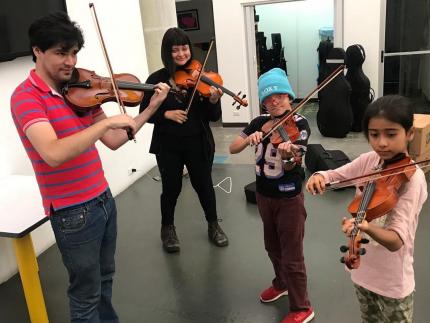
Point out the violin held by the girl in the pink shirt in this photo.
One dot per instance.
(378, 197)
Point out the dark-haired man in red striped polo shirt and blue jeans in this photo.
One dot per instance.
(61, 146)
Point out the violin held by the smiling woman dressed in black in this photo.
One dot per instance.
(187, 78)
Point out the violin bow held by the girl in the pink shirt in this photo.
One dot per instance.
(375, 175)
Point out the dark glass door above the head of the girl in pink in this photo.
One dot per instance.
(406, 57)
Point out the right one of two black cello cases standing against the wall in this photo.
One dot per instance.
(361, 92)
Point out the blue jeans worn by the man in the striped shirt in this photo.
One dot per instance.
(86, 236)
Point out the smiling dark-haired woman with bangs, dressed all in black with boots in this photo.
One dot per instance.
(180, 138)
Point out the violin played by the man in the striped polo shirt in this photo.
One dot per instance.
(86, 90)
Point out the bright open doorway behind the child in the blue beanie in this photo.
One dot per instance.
(286, 34)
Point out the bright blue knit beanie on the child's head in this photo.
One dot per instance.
(274, 81)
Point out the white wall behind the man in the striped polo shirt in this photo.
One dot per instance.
(120, 23)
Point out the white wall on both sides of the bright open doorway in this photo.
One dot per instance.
(230, 34)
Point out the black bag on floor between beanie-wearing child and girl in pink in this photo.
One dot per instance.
(317, 158)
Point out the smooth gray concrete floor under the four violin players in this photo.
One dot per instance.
(204, 283)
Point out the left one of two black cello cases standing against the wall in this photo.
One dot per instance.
(334, 116)
